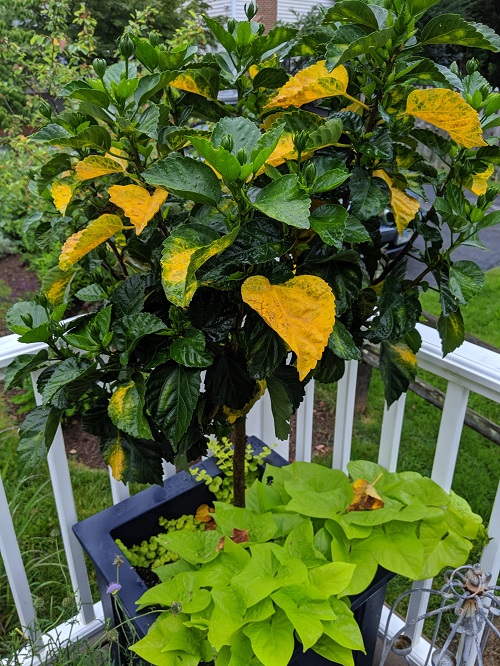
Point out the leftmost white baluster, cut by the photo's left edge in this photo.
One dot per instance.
(16, 573)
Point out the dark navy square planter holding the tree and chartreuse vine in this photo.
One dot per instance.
(136, 519)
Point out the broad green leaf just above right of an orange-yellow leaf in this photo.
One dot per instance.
(186, 177)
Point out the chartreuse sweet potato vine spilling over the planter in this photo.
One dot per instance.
(282, 568)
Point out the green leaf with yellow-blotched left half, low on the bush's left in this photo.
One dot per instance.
(126, 409)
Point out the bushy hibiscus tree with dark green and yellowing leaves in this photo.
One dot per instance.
(243, 241)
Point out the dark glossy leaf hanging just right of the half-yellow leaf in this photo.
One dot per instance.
(172, 396)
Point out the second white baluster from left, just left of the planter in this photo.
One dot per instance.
(66, 511)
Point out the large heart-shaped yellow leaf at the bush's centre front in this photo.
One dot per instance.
(301, 311)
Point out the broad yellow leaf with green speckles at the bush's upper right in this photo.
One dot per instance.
(447, 110)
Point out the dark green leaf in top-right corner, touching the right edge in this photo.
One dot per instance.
(452, 29)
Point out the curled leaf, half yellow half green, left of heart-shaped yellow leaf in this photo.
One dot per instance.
(184, 251)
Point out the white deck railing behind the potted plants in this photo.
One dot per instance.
(468, 369)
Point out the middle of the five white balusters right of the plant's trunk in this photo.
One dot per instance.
(344, 415)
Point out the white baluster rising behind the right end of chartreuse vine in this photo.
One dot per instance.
(445, 458)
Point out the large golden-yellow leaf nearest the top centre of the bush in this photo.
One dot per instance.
(311, 84)
